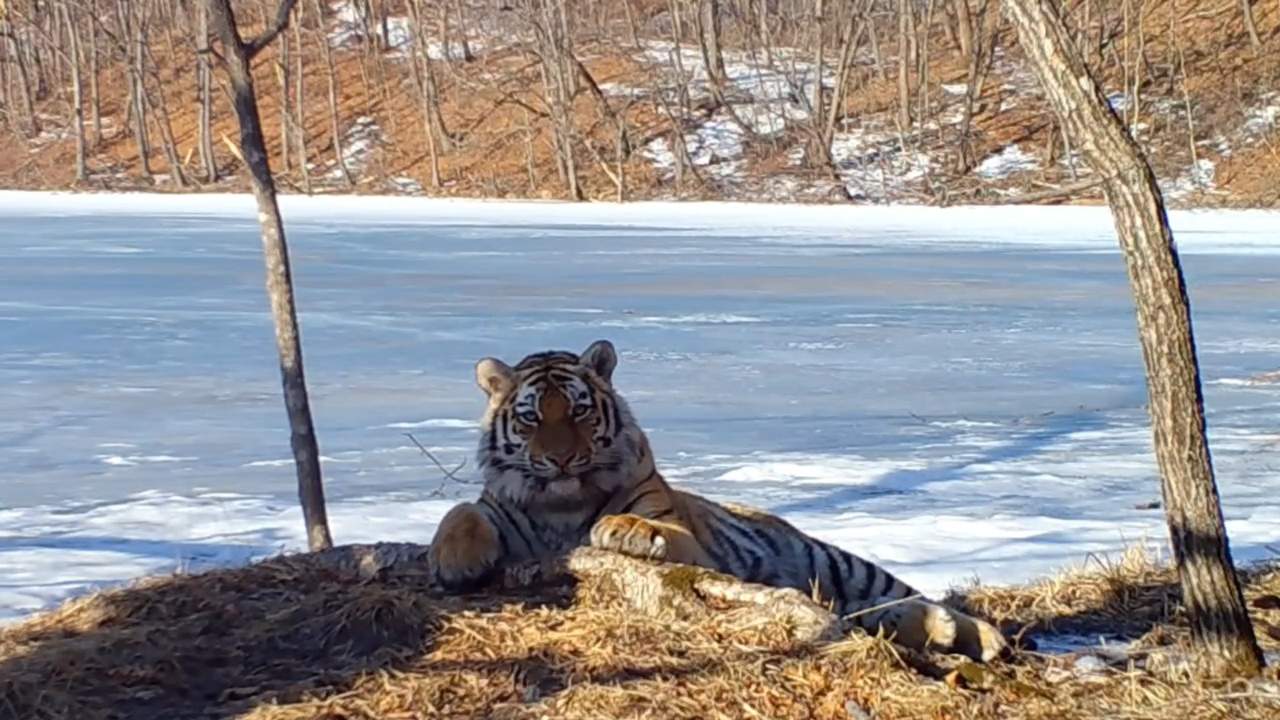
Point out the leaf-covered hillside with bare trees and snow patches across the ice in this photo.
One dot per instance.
(529, 99)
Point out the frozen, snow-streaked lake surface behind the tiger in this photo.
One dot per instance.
(954, 393)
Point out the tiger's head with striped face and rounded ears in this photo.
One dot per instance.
(555, 435)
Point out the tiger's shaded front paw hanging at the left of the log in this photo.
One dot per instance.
(465, 550)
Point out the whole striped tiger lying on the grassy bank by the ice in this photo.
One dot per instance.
(565, 464)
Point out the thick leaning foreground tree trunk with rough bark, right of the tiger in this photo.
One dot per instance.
(1212, 590)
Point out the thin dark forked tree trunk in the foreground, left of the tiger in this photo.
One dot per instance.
(280, 284)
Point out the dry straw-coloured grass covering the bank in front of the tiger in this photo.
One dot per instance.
(292, 639)
